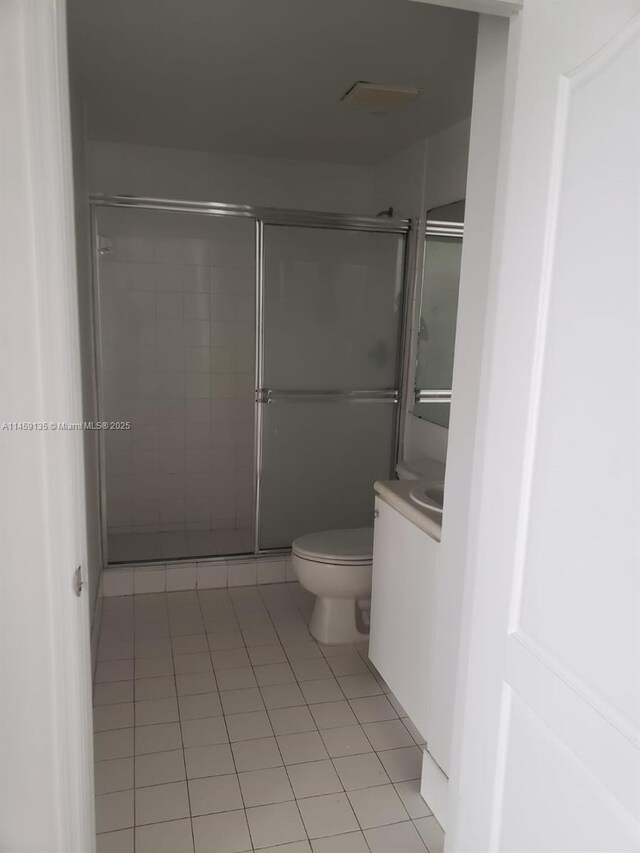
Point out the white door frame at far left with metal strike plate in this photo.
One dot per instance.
(47, 732)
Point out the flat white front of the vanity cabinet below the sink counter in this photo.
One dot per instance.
(403, 602)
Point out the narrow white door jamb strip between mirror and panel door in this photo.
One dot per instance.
(470, 346)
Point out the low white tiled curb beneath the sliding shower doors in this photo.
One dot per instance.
(207, 574)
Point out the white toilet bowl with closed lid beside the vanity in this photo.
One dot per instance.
(336, 566)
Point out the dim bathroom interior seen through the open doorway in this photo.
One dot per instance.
(269, 278)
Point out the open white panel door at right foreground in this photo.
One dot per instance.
(546, 751)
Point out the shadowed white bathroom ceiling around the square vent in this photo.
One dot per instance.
(266, 76)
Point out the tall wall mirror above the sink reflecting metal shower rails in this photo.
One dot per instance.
(438, 313)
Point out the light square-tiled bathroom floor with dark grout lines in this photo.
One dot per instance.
(221, 726)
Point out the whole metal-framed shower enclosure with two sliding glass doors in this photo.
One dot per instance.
(249, 367)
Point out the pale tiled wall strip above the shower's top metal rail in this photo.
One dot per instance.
(144, 170)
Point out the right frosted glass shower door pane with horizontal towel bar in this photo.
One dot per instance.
(331, 326)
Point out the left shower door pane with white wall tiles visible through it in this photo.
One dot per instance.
(177, 342)
